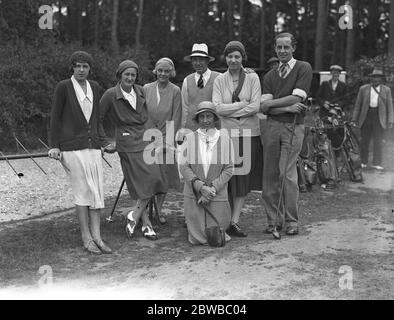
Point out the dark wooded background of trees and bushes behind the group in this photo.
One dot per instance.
(32, 60)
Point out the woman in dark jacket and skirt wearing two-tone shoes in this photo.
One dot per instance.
(125, 107)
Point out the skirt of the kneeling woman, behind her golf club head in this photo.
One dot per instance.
(195, 218)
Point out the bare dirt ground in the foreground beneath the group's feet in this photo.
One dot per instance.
(350, 230)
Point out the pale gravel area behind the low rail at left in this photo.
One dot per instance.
(37, 194)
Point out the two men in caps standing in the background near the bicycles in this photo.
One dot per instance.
(372, 112)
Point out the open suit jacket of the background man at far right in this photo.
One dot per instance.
(385, 105)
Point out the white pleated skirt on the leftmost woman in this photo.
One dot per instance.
(86, 176)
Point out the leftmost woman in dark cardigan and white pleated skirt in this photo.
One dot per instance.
(74, 140)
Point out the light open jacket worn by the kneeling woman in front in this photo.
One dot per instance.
(220, 170)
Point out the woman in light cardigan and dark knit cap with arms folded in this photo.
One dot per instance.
(236, 95)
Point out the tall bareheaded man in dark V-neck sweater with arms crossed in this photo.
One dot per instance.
(284, 90)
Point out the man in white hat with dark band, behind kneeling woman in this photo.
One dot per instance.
(198, 86)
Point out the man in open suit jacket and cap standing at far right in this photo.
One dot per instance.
(373, 113)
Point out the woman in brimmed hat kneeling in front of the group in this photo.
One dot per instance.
(207, 168)
